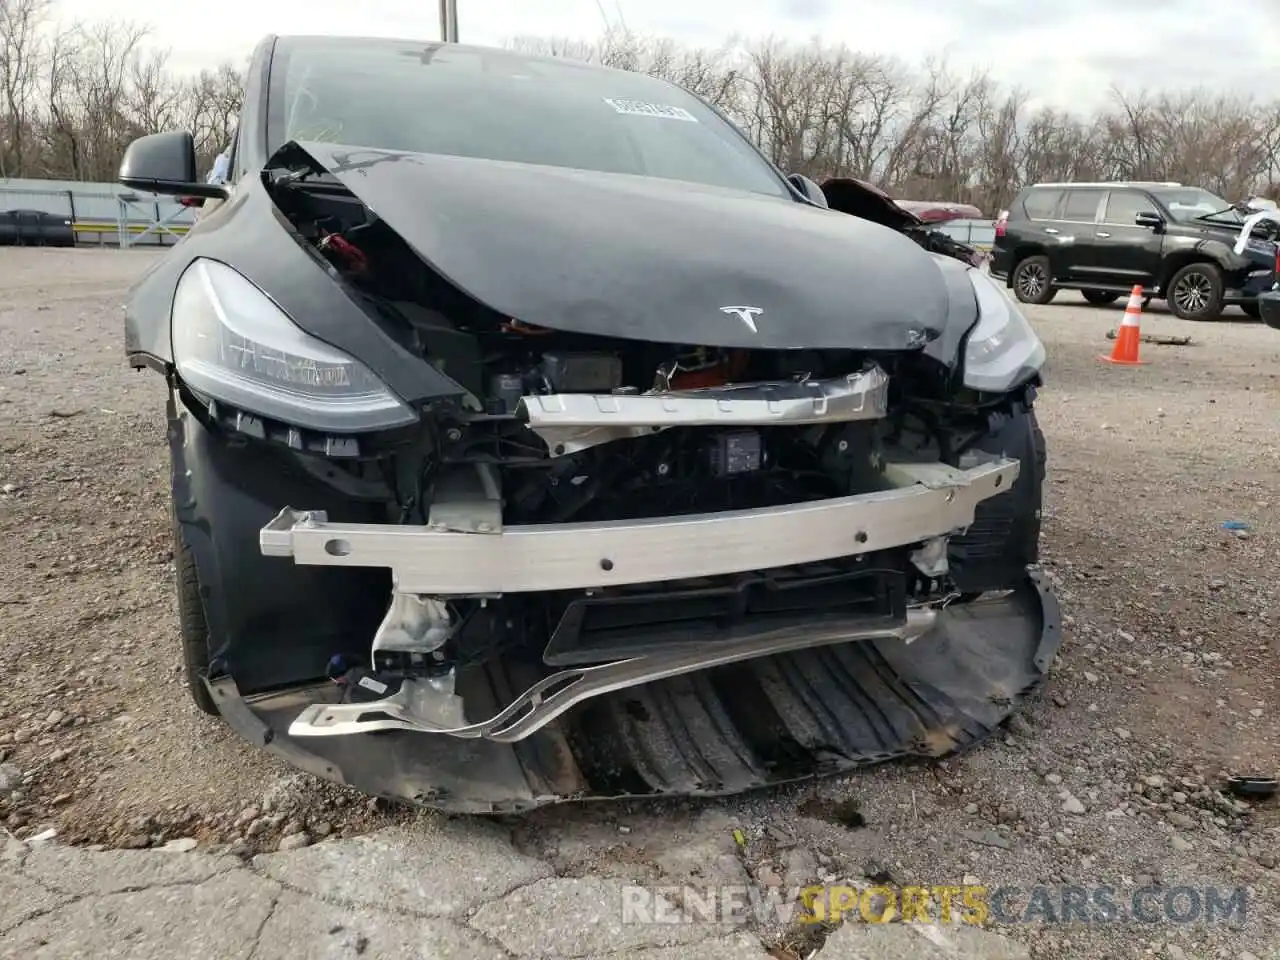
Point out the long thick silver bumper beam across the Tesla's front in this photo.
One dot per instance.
(927, 501)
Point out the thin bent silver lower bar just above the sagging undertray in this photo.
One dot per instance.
(554, 696)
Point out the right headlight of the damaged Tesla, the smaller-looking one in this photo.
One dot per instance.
(1003, 349)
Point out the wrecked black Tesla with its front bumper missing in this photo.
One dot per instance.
(534, 438)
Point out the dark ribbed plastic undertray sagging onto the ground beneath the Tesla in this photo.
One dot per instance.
(719, 732)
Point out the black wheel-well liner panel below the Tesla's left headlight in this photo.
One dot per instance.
(271, 621)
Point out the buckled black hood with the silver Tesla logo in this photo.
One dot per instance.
(651, 259)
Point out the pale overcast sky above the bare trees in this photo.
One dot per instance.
(1063, 52)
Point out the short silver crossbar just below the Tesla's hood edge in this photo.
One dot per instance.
(569, 423)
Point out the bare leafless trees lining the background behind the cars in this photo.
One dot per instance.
(72, 98)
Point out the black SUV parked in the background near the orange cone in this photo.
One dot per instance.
(1103, 239)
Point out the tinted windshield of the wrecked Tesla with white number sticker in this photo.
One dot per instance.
(496, 106)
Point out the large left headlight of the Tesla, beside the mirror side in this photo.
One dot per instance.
(235, 345)
